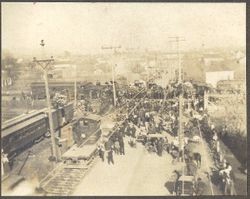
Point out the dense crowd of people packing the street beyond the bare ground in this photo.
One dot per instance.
(151, 116)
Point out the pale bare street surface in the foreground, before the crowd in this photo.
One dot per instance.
(136, 173)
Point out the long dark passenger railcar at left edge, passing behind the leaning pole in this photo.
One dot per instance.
(23, 131)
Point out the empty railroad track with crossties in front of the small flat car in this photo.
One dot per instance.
(65, 177)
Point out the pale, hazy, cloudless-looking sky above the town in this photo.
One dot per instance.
(85, 27)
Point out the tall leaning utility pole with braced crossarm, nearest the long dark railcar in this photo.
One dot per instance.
(44, 64)
